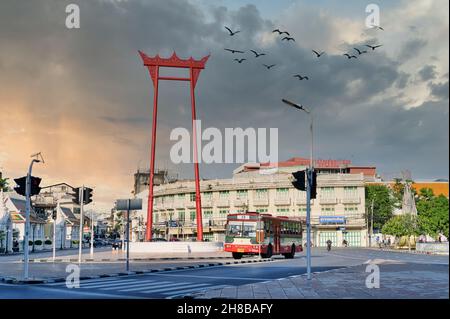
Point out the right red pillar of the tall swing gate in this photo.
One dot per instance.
(198, 202)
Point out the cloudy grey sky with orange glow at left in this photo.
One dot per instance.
(83, 98)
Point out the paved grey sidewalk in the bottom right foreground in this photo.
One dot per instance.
(397, 281)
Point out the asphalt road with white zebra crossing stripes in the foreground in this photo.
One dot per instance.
(177, 283)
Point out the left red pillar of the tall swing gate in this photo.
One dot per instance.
(148, 233)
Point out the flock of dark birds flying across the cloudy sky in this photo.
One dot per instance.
(286, 36)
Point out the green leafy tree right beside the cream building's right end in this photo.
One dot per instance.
(383, 204)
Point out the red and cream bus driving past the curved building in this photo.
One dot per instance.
(254, 233)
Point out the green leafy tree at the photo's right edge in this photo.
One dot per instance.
(432, 213)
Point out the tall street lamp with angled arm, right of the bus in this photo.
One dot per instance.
(309, 186)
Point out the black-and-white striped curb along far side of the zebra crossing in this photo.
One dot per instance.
(12, 280)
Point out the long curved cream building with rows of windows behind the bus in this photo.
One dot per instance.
(337, 213)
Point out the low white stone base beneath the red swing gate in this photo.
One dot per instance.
(175, 247)
